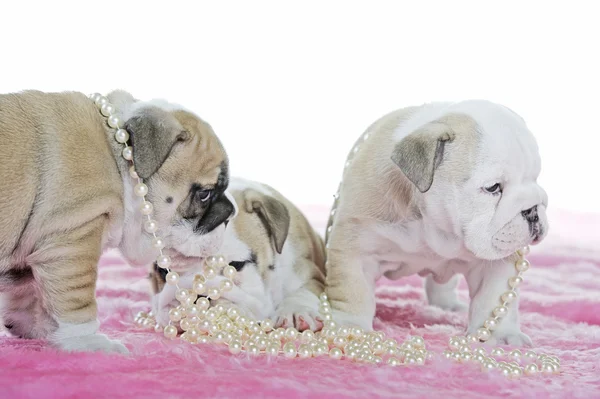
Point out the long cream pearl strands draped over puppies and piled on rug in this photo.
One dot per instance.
(203, 323)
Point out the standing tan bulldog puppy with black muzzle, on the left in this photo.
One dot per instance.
(66, 195)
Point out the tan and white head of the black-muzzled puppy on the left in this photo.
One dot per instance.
(186, 170)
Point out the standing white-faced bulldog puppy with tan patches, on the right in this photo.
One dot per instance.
(440, 190)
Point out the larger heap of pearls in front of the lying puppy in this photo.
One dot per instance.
(228, 325)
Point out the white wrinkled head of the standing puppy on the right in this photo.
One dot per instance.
(484, 190)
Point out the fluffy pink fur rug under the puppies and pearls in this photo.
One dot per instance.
(560, 310)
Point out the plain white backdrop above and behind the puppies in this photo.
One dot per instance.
(288, 86)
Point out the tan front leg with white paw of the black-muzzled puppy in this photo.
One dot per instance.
(66, 269)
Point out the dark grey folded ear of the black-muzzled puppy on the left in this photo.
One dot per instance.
(153, 133)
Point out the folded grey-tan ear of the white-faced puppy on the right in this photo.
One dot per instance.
(421, 152)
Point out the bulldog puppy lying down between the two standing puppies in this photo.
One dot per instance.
(279, 257)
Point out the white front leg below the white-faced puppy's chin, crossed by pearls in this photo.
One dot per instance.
(487, 283)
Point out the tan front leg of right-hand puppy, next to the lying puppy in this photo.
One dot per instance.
(349, 285)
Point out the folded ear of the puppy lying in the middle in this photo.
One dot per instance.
(272, 213)
